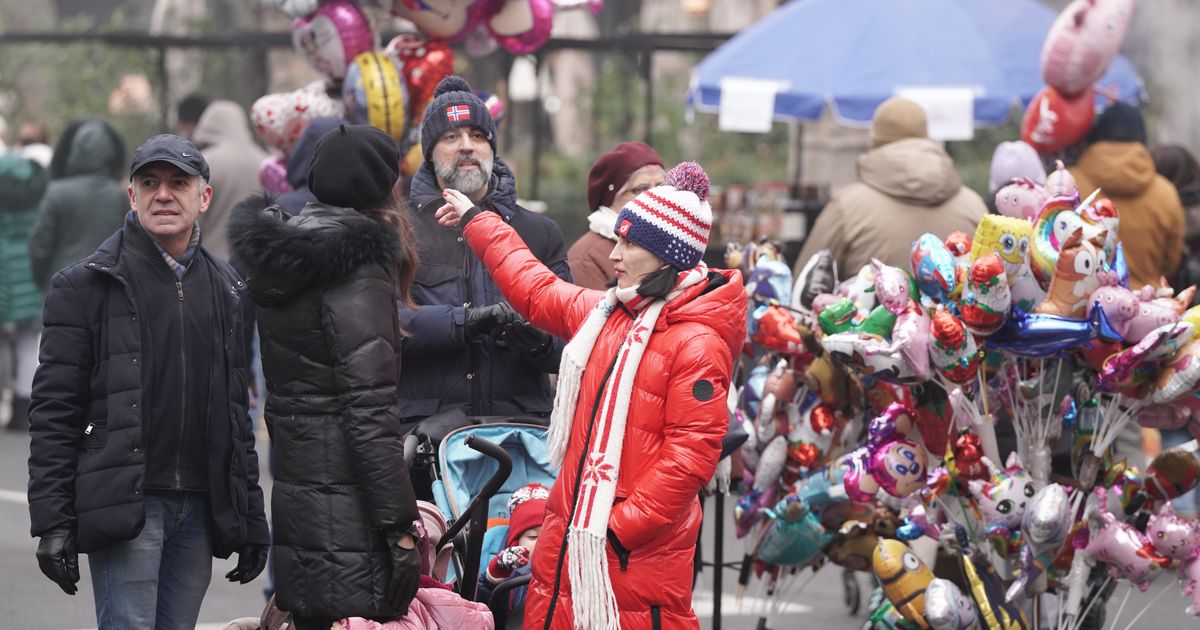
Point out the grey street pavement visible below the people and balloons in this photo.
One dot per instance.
(29, 601)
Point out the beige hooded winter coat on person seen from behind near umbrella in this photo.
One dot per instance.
(904, 190)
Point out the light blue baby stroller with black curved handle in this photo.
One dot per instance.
(475, 471)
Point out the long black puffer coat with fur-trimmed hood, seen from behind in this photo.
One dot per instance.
(323, 283)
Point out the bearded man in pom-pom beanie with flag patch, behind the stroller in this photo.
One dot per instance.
(476, 353)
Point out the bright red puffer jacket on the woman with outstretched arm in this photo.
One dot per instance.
(677, 419)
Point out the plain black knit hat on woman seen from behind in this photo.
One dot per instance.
(355, 166)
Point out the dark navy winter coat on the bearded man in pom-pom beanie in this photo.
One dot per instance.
(482, 379)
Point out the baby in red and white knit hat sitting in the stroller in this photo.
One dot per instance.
(527, 508)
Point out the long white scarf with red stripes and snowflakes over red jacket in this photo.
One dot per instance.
(593, 603)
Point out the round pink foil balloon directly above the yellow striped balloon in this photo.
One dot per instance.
(333, 37)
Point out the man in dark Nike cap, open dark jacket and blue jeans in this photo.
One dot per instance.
(142, 453)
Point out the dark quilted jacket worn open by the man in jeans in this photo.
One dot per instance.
(88, 460)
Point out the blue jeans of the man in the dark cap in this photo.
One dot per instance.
(158, 580)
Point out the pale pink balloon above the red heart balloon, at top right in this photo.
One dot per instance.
(1083, 41)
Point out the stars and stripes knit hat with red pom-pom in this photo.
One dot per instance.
(673, 221)
